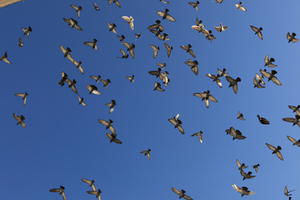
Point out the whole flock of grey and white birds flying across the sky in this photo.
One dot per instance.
(158, 30)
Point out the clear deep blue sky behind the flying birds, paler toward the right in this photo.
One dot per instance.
(63, 142)
